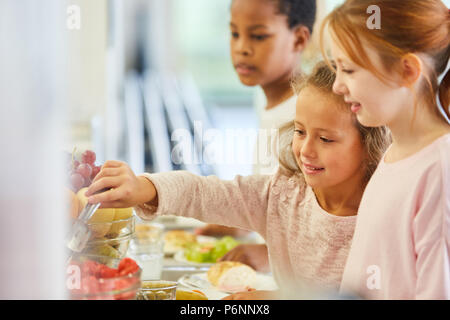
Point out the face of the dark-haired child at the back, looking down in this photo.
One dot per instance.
(263, 48)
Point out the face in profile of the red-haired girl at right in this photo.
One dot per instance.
(375, 102)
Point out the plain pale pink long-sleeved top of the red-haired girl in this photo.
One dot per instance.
(401, 246)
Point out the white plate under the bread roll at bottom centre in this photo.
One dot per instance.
(199, 281)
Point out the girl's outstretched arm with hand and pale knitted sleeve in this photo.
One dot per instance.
(240, 203)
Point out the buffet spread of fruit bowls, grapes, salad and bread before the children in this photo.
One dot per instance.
(107, 274)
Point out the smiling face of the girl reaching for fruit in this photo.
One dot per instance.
(326, 143)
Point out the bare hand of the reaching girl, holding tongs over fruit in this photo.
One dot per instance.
(126, 190)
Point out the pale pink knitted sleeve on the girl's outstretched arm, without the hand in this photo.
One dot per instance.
(240, 203)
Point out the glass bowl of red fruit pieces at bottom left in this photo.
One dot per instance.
(90, 287)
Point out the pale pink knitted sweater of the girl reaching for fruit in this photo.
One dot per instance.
(307, 246)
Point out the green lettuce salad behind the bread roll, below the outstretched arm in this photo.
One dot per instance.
(209, 252)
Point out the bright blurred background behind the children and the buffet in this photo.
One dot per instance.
(124, 78)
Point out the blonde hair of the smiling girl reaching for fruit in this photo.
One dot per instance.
(375, 140)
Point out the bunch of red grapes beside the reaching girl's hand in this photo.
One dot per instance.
(82, 173)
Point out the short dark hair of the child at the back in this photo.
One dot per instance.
(299, 12)
